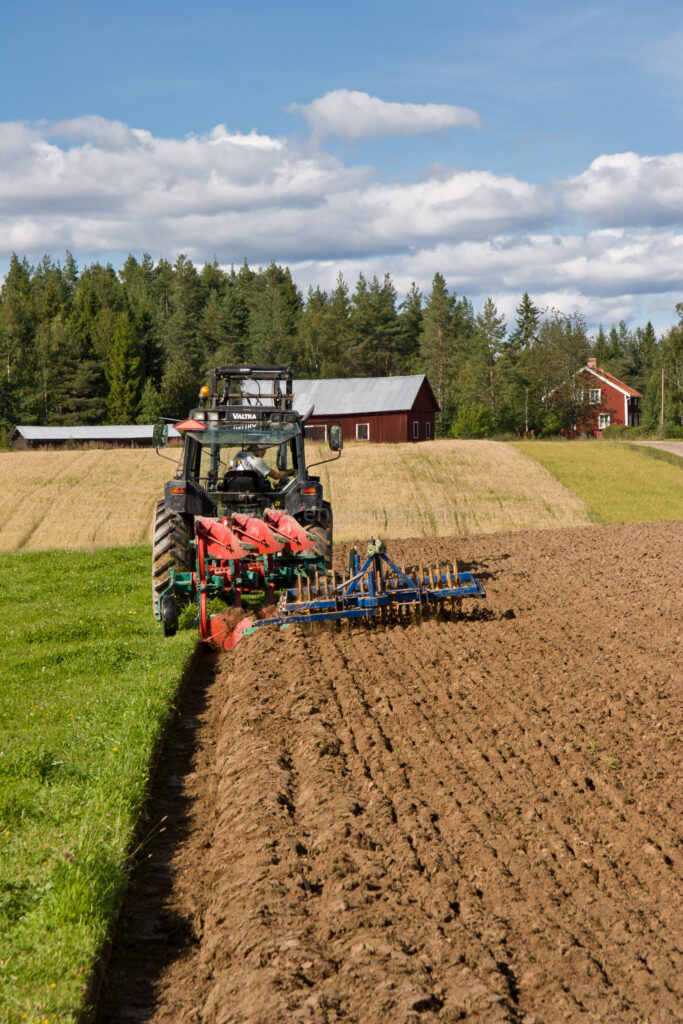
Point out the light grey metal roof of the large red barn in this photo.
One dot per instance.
(355, 396)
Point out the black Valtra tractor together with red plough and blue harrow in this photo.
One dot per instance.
(251, 542)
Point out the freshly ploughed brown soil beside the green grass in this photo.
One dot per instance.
(476, 820)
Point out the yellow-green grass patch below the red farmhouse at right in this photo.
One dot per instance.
(618, 483)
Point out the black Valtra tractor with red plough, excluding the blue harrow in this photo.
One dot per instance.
(243, 520)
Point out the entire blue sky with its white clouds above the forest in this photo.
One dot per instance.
(532, 147)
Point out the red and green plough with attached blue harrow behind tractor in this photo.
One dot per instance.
(270, 567)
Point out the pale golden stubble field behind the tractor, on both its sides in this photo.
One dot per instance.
(95, 498)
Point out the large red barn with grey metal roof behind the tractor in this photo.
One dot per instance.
(370, 409)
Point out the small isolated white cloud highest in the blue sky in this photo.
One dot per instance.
(355, 116)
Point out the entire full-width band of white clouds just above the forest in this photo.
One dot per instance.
(100, 188)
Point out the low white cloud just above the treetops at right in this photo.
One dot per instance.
(603, 275)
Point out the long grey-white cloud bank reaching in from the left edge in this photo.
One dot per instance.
(117, 189)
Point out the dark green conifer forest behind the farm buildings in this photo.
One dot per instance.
(97, 346)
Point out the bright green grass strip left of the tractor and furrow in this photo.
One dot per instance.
(88, 687)
